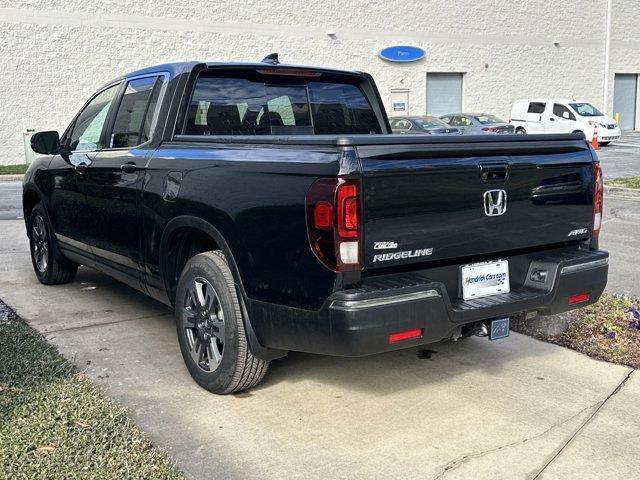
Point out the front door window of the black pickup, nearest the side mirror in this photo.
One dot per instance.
(86, 132)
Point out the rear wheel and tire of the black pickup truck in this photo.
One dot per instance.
(210, 327)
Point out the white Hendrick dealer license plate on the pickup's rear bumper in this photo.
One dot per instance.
(484, 279)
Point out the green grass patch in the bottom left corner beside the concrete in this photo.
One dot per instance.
(54, 424)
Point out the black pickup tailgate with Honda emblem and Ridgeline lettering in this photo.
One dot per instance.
(443, 200)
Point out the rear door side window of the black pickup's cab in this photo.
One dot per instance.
(135, 113)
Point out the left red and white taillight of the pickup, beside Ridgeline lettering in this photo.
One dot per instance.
(334, 222)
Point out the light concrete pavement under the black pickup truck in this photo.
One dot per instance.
(511, 409)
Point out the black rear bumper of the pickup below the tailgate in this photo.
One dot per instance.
(358, 321)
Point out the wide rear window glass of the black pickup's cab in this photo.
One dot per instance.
(254, 104)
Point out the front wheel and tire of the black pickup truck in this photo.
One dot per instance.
(49, 265)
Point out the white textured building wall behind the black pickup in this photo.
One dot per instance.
(56, 53)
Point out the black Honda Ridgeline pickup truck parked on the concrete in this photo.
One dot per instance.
(271, 206)
